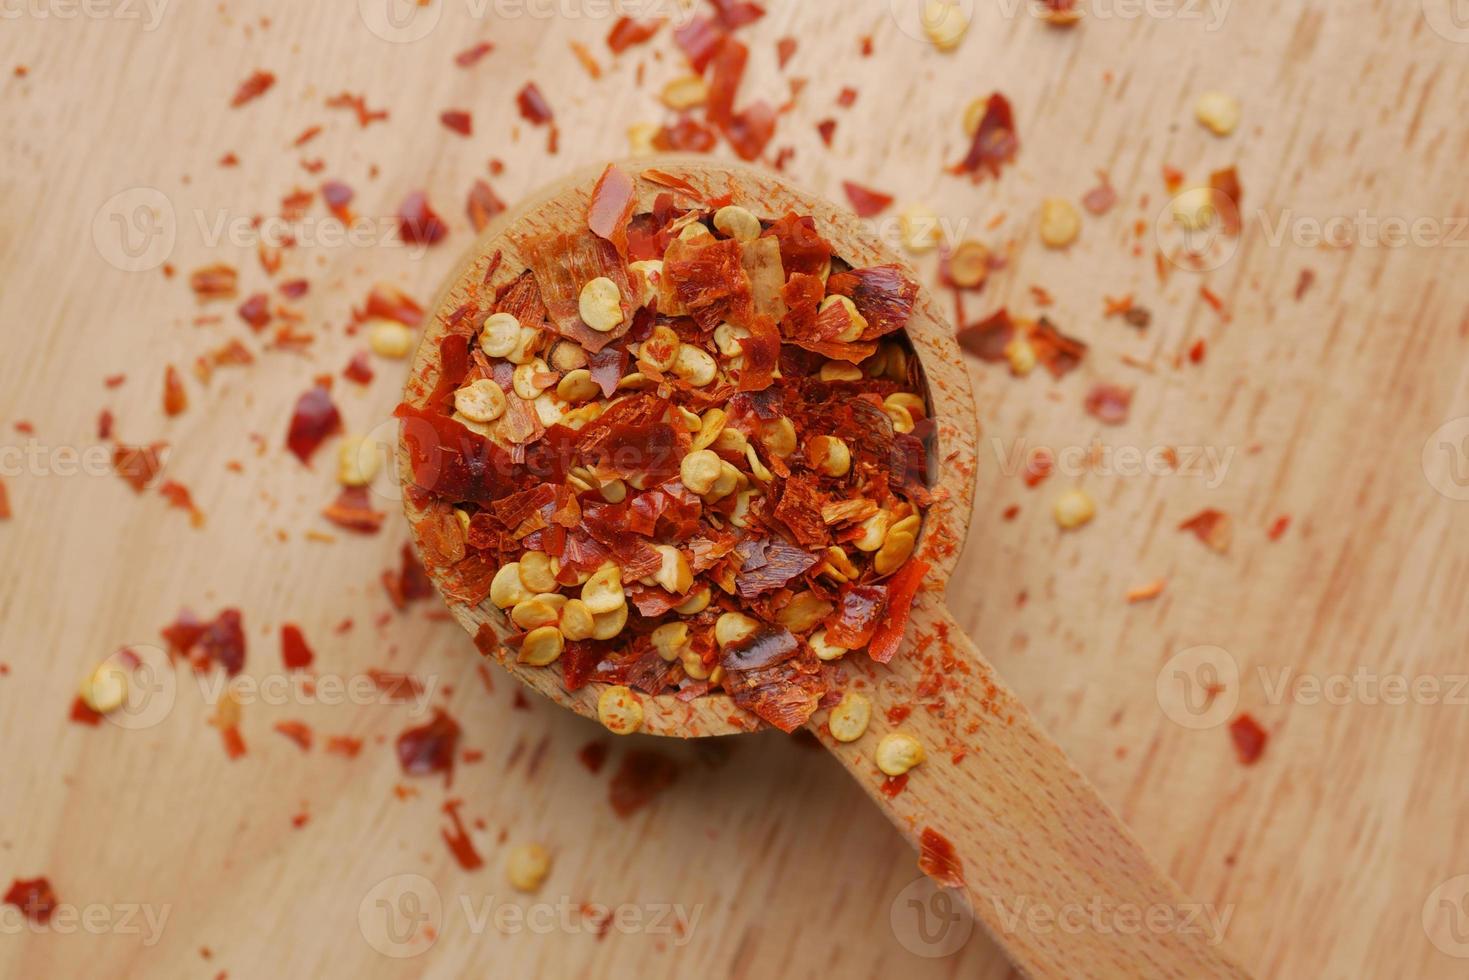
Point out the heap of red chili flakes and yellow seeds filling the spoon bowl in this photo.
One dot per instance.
(754, 346)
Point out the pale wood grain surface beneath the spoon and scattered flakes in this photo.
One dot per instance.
(1326, 853)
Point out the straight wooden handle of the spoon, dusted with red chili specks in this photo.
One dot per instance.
(1003, 815)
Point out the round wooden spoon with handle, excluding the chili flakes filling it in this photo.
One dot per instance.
(997, 810)
